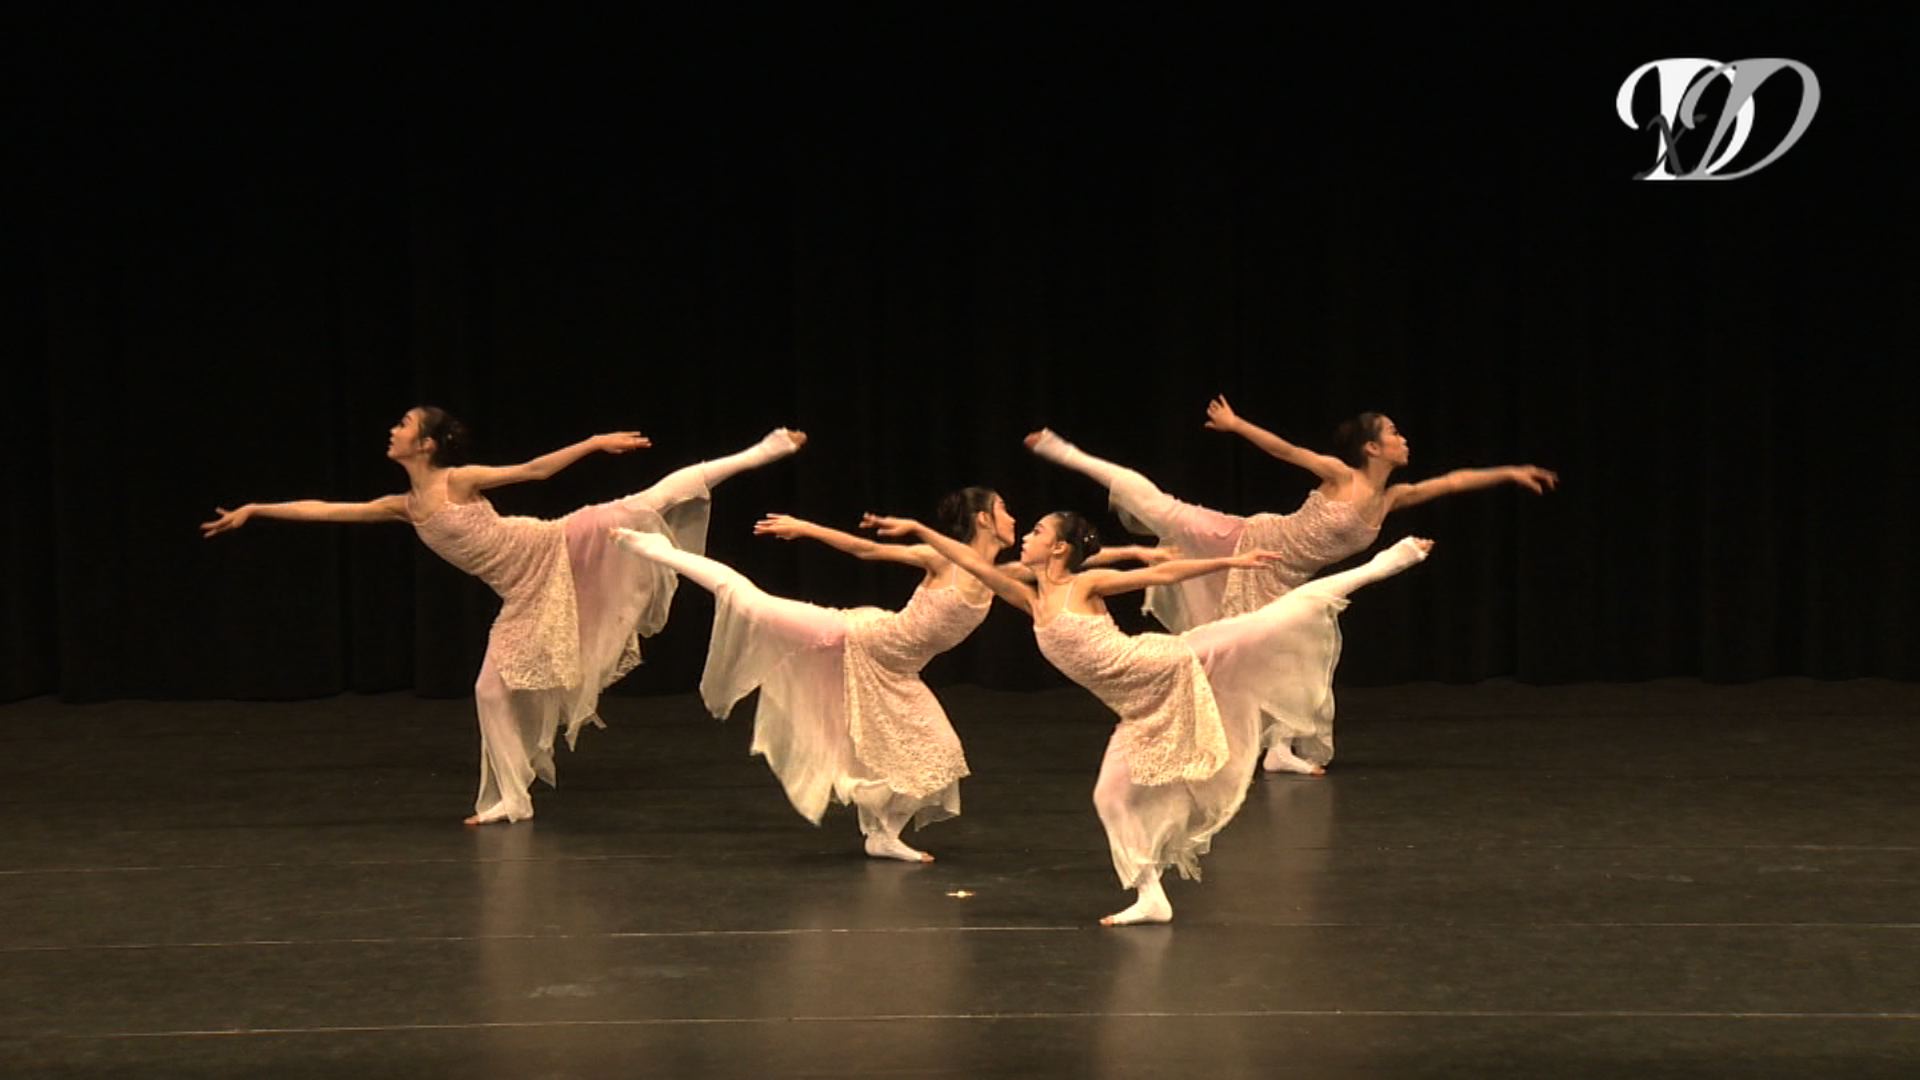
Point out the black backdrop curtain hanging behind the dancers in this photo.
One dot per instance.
(256, 235)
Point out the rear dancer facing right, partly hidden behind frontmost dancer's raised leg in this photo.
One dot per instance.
(1341, 518)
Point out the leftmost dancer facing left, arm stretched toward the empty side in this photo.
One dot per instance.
(571, 610)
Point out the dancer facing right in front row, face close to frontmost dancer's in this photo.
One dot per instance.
(842, 706)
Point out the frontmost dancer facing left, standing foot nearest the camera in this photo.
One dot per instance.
(1178, 764)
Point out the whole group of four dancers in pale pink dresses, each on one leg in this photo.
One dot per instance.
(844, 714)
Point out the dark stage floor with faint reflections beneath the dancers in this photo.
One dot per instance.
(1664, 879)
